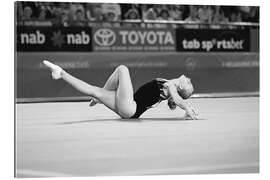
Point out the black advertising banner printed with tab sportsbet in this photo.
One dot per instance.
(213, 40)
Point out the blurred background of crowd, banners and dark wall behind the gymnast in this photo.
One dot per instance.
(217, 46)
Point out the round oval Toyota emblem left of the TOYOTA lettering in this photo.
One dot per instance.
(104, 37)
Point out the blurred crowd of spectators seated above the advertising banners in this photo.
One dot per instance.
(83, 14)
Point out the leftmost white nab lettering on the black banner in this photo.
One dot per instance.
(33, 38)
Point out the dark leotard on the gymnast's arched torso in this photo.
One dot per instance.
(148, 95)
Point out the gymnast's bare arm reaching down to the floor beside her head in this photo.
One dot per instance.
(179, 101)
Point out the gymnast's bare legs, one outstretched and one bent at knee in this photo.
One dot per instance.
(119, 98)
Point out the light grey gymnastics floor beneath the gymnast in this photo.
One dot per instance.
(71, 139)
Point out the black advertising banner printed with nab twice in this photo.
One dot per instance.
(35, 39)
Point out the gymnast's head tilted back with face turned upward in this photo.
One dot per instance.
(185, 87)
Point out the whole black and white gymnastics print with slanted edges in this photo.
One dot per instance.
(136, 89)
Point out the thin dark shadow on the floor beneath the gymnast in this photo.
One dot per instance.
(137, 120)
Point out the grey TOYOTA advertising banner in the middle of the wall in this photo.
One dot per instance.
(135, 39)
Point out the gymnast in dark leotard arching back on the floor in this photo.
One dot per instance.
(117, 93)
